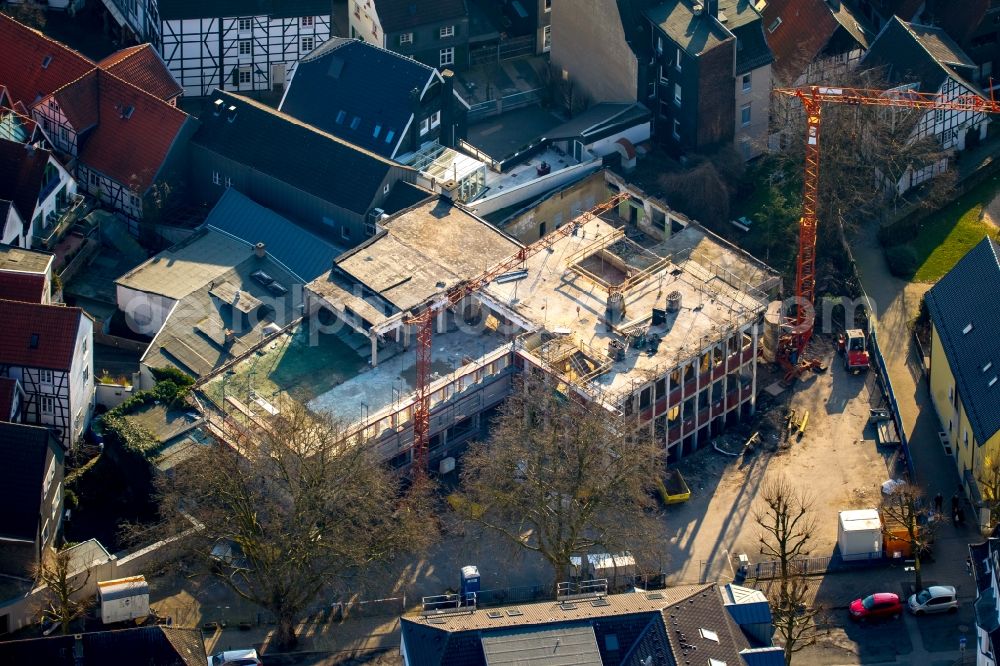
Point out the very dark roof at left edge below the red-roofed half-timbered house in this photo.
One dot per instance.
(23, 450)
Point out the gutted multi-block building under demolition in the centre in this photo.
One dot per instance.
(662, 331)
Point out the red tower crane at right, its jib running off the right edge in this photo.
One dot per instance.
(813, 98)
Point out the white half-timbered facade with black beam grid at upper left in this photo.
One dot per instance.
(249, 53)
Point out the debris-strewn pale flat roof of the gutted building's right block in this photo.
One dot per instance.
(555, 297)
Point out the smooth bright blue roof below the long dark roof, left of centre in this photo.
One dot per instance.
(307, 255)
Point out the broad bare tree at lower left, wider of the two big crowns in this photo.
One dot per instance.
(294, 509)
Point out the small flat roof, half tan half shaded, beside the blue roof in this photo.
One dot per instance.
(187, 266)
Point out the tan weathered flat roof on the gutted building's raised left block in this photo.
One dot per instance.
(424, 250)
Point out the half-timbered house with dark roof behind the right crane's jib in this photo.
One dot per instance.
(926, 59)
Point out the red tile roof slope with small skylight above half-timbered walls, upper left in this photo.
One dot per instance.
(130, 149)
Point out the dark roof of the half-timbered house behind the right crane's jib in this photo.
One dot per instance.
(921, 54)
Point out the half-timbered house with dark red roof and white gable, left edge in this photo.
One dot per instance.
(49, 350)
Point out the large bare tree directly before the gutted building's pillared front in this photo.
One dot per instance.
(558, 478)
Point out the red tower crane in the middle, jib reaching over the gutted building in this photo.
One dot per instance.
(424, 320)
